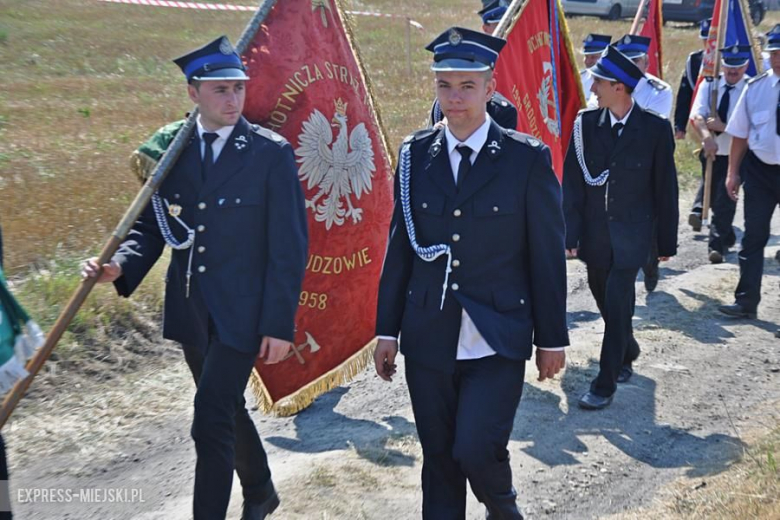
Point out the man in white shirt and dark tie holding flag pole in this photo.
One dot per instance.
(716, 143)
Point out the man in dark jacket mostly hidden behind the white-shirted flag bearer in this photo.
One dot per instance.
(682, 111)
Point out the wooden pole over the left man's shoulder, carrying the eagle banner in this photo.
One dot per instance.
(118, 236)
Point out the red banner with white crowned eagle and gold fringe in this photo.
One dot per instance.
(307, 83)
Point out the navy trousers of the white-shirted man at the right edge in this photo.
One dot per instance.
(762, 195)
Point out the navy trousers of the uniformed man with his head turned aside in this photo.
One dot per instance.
(615, 294)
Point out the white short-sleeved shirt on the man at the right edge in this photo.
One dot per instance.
(755, 118)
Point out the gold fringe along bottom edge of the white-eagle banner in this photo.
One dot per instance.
(297, 401)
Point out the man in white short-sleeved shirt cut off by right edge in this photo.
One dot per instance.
(754, 127)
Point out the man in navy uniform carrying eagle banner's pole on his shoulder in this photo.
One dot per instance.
(233, 211)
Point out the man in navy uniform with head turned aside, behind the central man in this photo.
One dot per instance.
(619, 177)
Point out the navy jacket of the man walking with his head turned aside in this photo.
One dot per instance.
(612, 224)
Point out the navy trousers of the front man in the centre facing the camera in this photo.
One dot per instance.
(464, 421)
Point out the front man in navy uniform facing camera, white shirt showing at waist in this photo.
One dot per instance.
(474, 274)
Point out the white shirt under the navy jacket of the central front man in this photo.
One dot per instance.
(471, 344)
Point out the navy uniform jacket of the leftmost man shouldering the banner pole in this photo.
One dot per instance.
(250, 246)
